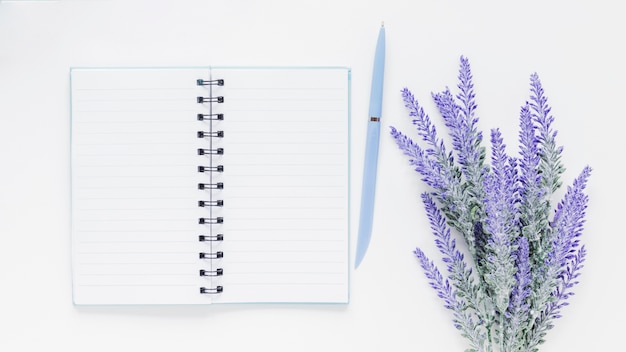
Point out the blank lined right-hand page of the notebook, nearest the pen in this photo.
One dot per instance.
(285, 185)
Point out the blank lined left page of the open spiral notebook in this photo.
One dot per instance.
(134, 194)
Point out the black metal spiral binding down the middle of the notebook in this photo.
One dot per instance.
(210, 201)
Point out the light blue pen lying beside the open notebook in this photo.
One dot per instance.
(371, 150)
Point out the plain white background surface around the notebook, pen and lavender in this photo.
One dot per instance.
(576, 47)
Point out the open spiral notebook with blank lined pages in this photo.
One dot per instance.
(209, 185)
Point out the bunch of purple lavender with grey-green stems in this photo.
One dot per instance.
(523, 263)
